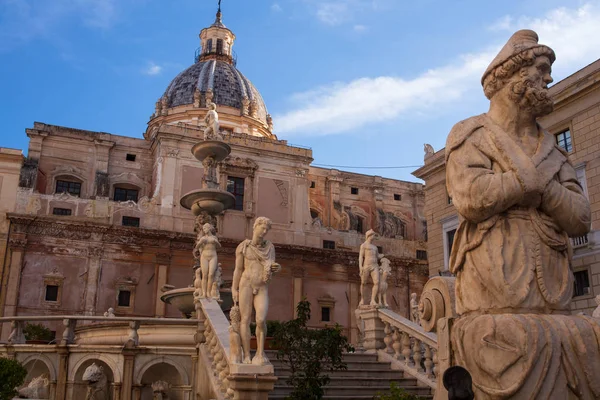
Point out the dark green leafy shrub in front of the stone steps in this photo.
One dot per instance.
(309, 353)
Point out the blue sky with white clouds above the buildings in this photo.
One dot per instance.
(362, 82)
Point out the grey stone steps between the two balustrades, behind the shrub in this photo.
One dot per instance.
(363, 379)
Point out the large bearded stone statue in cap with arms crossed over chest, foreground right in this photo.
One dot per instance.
(519, 200)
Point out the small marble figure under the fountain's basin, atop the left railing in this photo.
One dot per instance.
(206, 251)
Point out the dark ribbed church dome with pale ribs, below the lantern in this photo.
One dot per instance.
(219, 78)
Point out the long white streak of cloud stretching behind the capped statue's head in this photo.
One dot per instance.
(344, 106)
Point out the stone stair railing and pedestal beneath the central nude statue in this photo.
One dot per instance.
(229, 380)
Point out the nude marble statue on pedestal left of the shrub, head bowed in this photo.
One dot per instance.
(254, 266)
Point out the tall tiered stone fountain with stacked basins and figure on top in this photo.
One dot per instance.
(205, 203)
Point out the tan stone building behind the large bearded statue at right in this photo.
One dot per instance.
(575, 122)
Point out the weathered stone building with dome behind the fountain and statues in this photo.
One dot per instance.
(93, 220)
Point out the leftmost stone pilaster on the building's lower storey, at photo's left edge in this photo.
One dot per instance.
(10, 291)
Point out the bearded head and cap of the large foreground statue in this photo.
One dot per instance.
(521, 71)
